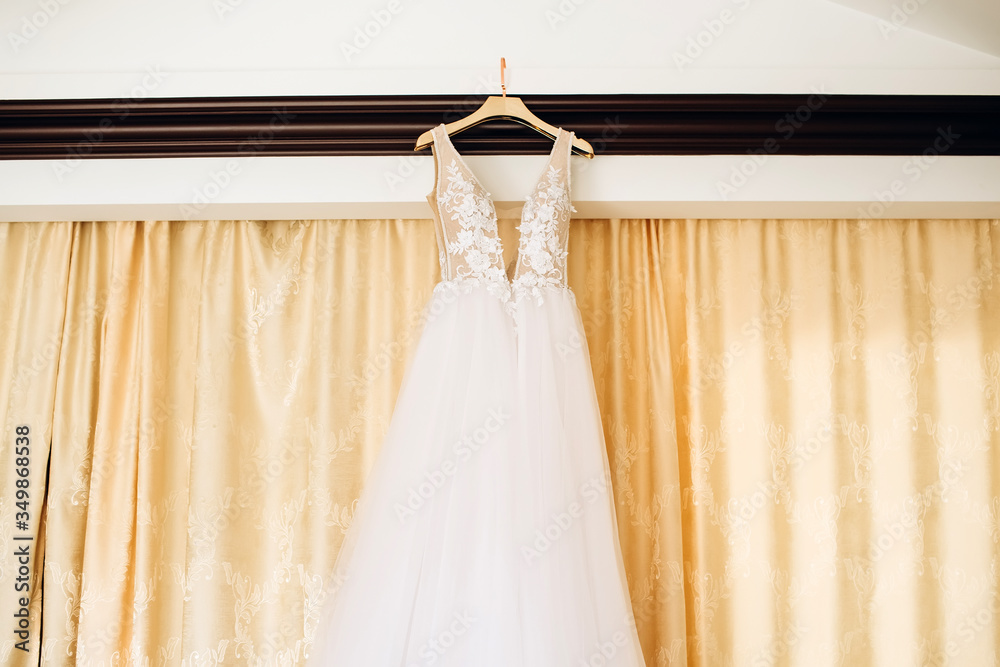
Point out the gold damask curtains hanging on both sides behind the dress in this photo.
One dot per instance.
(802, 417)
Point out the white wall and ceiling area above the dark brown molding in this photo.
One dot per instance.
(117, 48)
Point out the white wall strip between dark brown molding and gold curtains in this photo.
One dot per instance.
(703, 186)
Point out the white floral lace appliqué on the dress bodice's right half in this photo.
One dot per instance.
(542, 252)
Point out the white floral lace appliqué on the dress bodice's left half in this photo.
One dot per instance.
(479, 251)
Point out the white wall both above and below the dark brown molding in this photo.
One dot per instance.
(131, 49)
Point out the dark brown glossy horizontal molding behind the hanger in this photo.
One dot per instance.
(804, 124)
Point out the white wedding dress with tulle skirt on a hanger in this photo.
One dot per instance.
(486, 533)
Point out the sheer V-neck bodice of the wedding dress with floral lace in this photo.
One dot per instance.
(470, 250)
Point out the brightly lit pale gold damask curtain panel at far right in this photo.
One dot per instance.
(837, 387)
